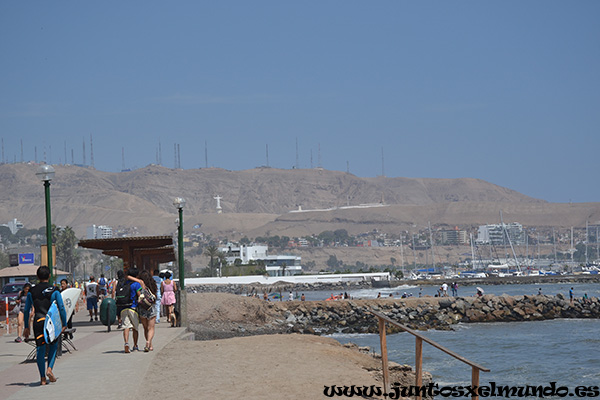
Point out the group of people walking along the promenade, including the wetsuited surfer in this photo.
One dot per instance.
(37, 300)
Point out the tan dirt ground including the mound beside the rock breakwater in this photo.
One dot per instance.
(262, 366)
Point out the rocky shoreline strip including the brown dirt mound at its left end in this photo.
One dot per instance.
(234, 315)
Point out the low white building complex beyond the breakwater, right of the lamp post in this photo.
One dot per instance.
(276, 265)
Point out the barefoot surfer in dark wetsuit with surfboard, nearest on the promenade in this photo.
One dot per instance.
(41, 297)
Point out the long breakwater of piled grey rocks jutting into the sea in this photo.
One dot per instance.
(353, 316)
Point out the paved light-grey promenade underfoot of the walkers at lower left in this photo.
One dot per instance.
(99, 368)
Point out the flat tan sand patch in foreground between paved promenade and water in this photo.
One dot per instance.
(288, 366)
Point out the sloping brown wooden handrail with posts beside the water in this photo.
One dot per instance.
(475, 368)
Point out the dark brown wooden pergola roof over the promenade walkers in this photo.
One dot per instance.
(145, 252)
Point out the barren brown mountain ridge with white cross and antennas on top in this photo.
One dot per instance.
(258, 201)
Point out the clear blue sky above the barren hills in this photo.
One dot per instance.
(507, 92)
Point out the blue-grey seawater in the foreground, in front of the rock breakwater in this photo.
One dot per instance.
(566, 351)
